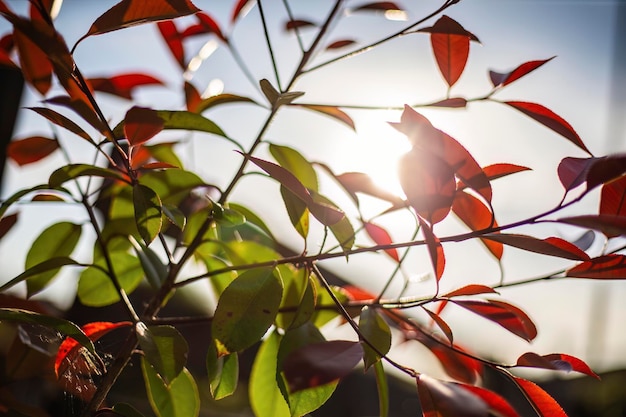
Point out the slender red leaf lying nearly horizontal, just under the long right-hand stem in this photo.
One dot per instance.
(552, 246)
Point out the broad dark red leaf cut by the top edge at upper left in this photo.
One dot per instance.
(129, 13)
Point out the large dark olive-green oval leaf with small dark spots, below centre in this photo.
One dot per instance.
(246, 309)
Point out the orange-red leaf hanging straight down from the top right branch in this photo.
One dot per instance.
(450, 44)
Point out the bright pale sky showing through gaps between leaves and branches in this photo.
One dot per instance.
(581, 84)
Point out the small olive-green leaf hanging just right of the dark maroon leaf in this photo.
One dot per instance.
(376, 331)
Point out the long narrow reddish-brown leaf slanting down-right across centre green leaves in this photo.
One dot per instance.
(326, 214)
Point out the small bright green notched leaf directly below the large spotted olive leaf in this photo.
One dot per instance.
(223, 373)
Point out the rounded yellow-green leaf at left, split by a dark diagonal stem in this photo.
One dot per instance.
(95, 288)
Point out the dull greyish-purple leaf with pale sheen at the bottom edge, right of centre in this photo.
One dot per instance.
(446, 399)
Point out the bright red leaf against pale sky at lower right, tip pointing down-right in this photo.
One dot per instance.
(506, 315)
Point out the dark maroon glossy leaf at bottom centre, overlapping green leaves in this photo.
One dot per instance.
(320, 363)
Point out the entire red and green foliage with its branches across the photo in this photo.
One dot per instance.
(150, 218)
